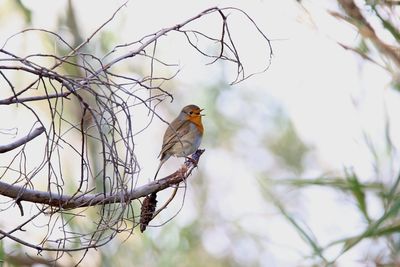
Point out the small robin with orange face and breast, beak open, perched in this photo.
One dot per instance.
(183, 135)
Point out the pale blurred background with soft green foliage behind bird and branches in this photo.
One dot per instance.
(301, 164)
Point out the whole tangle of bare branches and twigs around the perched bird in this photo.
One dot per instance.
(89, 112)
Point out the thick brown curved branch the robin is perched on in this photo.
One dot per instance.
(85, 200)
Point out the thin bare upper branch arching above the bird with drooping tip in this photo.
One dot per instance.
(144, 43)
